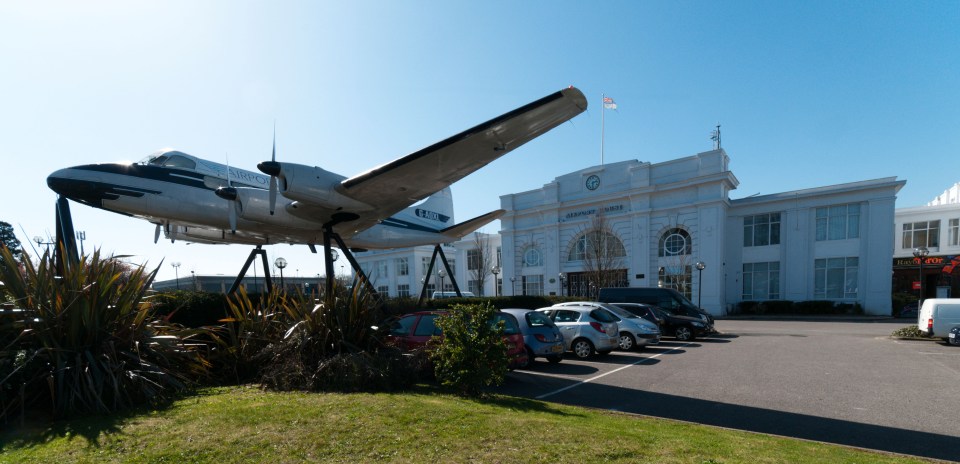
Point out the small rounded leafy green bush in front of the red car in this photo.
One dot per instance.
(471, 354)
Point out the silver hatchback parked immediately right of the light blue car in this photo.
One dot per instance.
(585, 330)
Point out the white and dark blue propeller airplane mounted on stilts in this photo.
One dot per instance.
(403, 203)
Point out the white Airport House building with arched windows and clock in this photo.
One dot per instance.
(673, 224)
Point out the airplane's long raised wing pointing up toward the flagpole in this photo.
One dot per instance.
(395, 185)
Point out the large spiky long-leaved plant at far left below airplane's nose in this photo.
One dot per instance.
(86, 341)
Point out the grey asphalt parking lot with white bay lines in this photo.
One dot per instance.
(839, 382)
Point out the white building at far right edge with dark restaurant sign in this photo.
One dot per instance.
(936, 229)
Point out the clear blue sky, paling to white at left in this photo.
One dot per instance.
(807, 94)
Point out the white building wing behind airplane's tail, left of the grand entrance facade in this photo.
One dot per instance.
(400, 272)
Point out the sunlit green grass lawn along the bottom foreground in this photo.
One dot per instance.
(245, 424)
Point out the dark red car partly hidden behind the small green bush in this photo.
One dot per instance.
(414, 330)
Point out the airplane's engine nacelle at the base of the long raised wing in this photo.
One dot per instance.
(316, 186)
